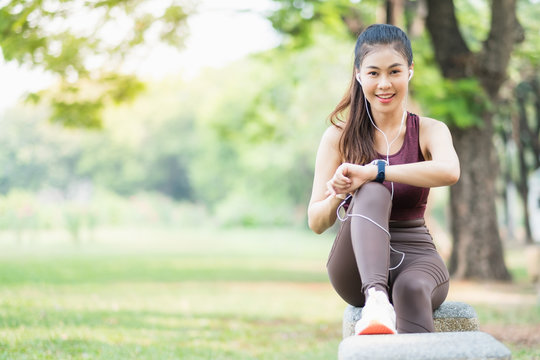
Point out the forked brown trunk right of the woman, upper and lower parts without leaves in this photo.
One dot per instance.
(477, 249)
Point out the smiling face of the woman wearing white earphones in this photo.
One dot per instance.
(384, 73)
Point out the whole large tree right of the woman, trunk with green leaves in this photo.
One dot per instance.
(470, 79)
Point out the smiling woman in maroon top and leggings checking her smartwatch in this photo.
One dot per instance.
(378, 162)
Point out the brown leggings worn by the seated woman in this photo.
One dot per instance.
(360, 259)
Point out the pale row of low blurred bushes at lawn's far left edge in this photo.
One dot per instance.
(26, 214)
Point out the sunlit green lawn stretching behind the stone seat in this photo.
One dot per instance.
(192, 294)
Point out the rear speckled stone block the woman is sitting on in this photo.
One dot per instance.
(451, 316)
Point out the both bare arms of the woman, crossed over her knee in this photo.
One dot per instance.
(332, 178)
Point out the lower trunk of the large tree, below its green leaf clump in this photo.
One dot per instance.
(477, 251)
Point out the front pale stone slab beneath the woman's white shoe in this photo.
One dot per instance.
(475, 345)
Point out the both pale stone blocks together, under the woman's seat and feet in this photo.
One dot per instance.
(456, 338)
